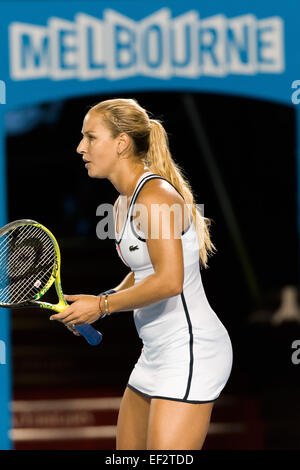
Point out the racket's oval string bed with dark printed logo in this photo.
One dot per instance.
(27, 259)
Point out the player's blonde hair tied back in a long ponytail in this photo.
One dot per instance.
(150, 144)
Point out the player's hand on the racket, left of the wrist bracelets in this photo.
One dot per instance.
(84, 309)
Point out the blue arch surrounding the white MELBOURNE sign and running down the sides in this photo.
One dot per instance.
(271, 87)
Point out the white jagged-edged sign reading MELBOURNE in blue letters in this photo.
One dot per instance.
(158, 46)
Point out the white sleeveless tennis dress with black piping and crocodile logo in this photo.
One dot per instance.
(187, 352)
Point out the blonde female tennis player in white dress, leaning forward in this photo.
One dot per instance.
(186, 357)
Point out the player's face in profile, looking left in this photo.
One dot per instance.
(97, 147)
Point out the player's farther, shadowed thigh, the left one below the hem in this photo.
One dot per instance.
(132, 421)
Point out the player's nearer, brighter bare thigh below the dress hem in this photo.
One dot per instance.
(178, 425)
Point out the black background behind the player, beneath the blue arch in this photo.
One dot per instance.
(253, 144)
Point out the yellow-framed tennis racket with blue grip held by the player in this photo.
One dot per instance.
(29, 265)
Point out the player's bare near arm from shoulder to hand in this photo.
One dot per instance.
(166, 256)
